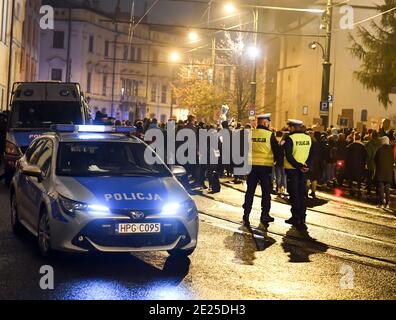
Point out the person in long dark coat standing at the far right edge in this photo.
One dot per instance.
(384, 162)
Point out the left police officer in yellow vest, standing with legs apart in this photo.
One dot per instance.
(264, 147)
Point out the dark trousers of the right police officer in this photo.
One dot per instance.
(296, 187)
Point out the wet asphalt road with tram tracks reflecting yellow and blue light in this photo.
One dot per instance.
(347, 252)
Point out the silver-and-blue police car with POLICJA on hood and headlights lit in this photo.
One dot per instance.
(89, 188)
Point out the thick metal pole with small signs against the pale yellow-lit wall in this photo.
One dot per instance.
(327, 64)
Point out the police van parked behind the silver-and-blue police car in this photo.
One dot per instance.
(35, 106)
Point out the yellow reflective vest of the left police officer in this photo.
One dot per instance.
(261, 148)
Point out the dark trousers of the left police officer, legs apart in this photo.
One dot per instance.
(262, 175)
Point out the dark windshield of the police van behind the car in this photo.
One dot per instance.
(42, 114)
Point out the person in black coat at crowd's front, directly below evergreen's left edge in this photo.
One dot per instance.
(356, 162)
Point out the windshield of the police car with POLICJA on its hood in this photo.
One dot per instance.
(106, 159)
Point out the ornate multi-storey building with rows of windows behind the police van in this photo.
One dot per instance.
(123, 75)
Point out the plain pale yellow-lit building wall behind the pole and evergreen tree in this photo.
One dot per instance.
(293, 72)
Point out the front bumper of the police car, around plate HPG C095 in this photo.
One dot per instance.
(83, 234)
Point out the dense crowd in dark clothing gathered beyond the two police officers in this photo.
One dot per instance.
(339, 156)
